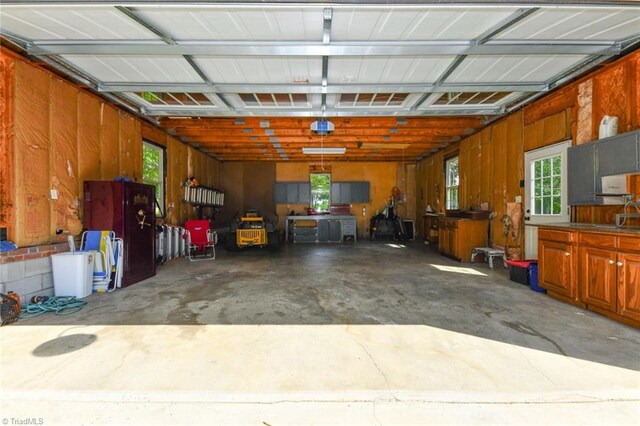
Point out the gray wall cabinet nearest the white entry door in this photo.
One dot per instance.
(583, 180)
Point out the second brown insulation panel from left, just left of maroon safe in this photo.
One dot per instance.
(64, 156)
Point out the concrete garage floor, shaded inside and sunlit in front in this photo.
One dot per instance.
(366, 333)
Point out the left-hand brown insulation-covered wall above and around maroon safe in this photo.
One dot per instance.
(56, 136)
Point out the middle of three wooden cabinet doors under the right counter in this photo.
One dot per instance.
(597, 271)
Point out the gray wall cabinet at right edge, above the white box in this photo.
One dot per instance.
(619, 154)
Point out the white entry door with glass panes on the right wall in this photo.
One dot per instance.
(545, 192)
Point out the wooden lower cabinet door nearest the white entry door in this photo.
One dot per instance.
(555, 268)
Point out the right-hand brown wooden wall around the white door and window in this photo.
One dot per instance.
(491, 161)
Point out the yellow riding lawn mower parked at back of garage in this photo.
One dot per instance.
(252, 231)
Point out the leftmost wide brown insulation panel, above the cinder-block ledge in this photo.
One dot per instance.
(31, 155)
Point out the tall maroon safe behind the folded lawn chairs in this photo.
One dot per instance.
(128, 209)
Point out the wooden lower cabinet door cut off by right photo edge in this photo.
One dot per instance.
(629, 285)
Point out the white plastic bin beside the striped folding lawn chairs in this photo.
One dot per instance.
(73, 274)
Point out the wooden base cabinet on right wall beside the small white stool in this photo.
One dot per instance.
(458, 237)
